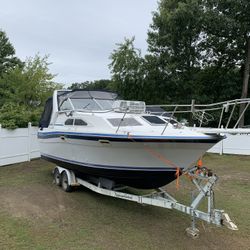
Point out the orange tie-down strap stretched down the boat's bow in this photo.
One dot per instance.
(163, 159)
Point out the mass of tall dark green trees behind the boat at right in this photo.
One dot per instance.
(191, 54)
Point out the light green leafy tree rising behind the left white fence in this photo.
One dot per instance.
(23, 92)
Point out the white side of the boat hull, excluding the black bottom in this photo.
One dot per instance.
(125, 154)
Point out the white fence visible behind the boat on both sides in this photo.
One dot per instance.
(21, 145)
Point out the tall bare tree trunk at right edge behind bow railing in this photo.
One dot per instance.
(245, 81)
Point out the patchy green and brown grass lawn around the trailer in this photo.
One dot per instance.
(36, 214)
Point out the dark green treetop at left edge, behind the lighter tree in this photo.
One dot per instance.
(8, 60)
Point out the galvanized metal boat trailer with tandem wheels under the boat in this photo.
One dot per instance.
(201, 177)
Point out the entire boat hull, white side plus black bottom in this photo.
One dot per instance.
(137, 164)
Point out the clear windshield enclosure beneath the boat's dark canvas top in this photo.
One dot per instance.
(86, 100)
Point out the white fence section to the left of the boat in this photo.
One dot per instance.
(18, 145)
